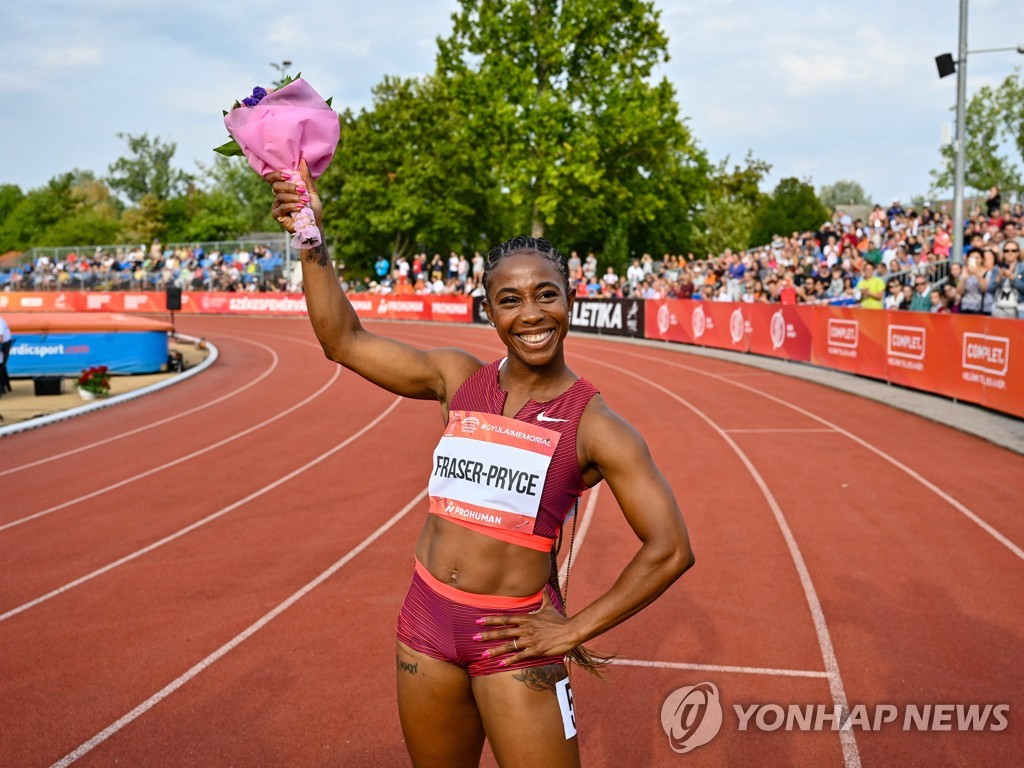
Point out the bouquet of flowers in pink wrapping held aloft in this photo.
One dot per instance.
(278, 130)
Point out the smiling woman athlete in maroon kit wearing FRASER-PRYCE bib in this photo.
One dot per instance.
(484, 635)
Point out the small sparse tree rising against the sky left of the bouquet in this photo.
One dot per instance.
(147, 170)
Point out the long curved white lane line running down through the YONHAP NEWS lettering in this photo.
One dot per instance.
(851, 756)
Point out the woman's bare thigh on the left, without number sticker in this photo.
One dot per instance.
(439, 713)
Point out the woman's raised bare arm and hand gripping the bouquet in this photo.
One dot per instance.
(397, 367)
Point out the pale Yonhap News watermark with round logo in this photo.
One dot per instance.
(694, 715)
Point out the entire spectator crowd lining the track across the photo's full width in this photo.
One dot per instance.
(893, 259)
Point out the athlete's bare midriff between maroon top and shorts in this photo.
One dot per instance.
(475, 563)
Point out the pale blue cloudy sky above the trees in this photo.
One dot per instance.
(822, 91)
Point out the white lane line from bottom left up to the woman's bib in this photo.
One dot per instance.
(234, 643)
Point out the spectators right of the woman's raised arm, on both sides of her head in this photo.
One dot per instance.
(897, 259)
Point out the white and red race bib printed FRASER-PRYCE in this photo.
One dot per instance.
(490, 471)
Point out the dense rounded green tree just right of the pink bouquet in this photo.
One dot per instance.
(406, 180)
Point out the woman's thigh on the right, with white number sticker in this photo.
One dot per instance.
(525, 721)
